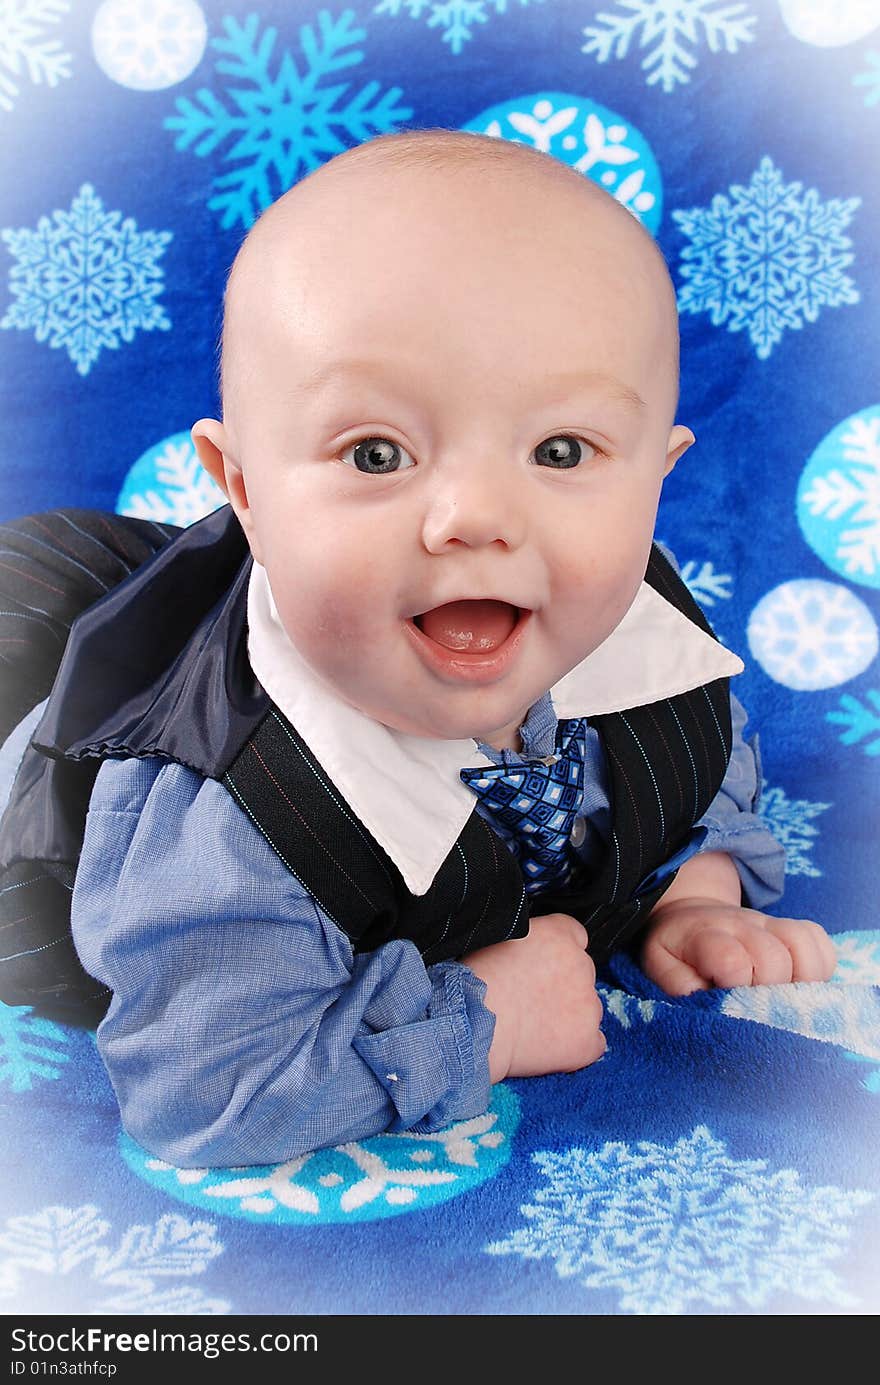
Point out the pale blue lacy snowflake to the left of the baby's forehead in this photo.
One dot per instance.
(87, 282)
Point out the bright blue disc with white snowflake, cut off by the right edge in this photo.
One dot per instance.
(839, 499)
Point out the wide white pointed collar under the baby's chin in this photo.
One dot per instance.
(407, 789)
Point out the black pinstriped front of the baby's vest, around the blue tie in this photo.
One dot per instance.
(666, 765)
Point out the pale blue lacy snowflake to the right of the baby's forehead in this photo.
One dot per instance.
(767, 258)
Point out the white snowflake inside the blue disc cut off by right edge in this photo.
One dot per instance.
(853, 491)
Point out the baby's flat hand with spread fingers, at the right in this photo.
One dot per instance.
(699, 944)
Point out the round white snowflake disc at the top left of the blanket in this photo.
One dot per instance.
(149, 45)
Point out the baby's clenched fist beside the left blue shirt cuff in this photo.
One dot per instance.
(543, 992)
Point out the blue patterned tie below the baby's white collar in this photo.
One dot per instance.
(536, 807)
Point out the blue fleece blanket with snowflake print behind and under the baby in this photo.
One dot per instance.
(721, 1157)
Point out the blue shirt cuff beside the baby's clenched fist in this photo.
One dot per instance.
(447, 1053)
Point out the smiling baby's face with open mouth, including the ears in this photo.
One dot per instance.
(448, 394)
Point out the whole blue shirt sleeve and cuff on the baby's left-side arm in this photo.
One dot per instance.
(245, 1028)
